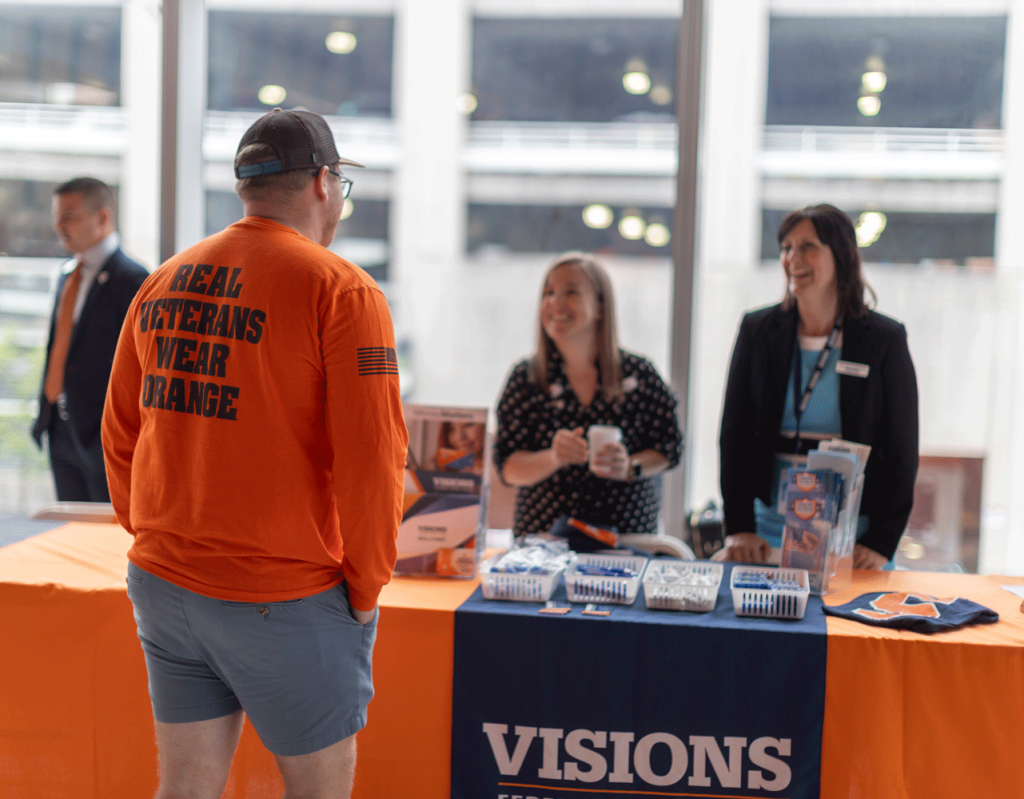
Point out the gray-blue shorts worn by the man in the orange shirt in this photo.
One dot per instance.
(301, 669)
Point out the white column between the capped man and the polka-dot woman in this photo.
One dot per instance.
(429, 213)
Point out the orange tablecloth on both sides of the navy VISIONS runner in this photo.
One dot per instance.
(906, 716)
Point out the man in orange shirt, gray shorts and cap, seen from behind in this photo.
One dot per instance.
(255, 448)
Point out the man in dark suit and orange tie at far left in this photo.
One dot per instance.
(93, 299)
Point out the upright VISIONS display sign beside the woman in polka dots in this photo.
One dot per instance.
(444, 522)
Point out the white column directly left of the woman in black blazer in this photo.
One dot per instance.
(730, 212)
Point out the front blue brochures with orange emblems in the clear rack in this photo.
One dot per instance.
(814, 498)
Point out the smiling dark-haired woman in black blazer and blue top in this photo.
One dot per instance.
(869, 375)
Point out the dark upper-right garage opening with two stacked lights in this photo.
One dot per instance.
(883, 71)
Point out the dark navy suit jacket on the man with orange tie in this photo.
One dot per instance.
(91, 353)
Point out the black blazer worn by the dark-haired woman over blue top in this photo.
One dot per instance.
(880, 410)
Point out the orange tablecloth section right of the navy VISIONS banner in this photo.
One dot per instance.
(912, 717)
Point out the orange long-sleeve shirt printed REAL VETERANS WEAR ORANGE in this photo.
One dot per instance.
(253, 430)
